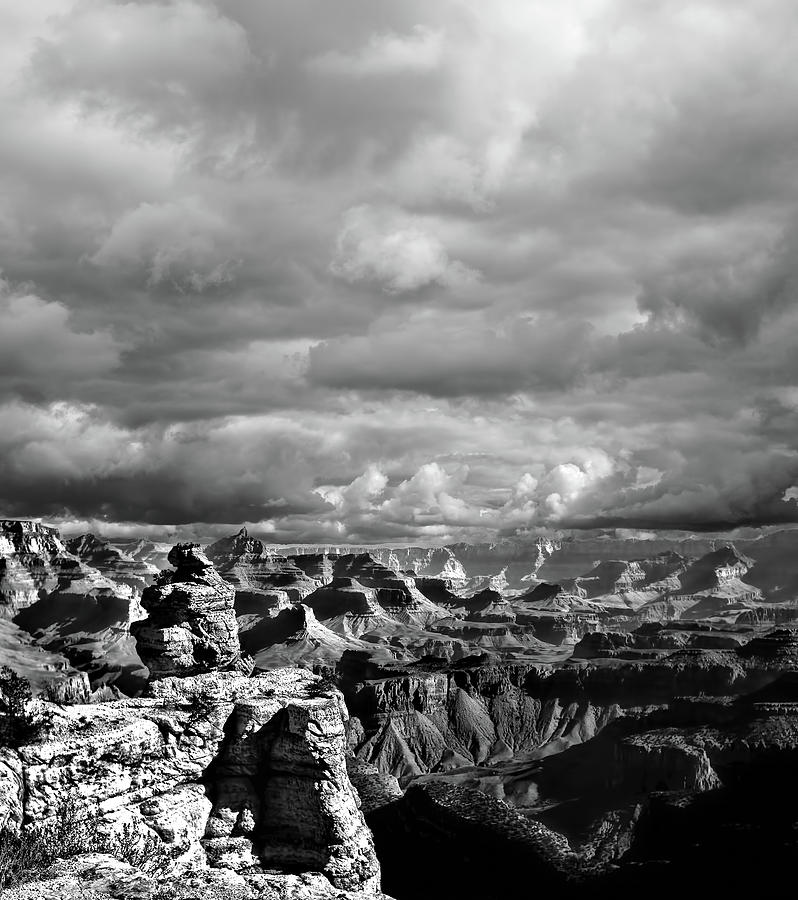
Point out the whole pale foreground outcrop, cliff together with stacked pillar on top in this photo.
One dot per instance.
(223, 779)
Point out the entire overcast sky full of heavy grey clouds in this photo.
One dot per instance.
(374, 271)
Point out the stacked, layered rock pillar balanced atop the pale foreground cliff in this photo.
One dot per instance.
(192, 625)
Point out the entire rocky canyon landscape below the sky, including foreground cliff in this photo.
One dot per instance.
(591, 713)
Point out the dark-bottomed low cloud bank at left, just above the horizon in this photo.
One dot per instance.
(68, 459)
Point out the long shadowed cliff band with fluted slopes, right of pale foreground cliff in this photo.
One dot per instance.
(413, 722)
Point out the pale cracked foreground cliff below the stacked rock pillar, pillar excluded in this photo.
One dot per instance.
(221, 770)
